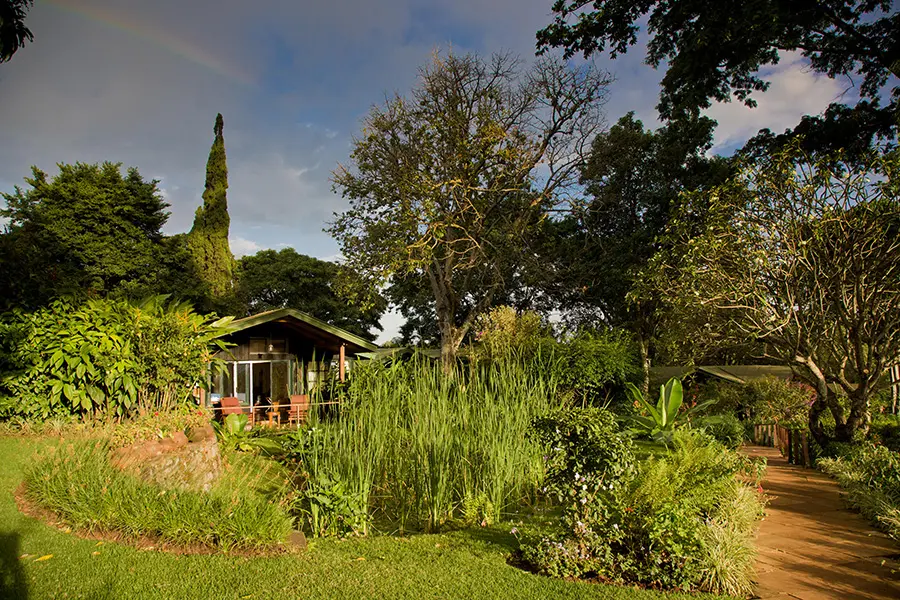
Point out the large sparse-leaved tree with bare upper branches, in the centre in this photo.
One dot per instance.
(449, 184)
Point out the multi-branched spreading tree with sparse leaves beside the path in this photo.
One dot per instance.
(803, 255)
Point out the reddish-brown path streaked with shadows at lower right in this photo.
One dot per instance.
(812, 547)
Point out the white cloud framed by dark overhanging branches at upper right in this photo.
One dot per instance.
(796, 90)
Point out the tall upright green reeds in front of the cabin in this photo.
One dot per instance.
(415, 448)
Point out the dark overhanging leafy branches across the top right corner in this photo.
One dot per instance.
(713, 51)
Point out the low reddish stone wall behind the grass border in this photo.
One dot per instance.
(189, 462)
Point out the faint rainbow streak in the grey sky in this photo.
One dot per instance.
(156, 37)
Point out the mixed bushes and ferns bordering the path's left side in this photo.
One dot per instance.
(681, 520)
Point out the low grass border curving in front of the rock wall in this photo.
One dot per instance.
(77, 483)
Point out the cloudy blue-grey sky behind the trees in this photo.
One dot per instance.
(141, 82)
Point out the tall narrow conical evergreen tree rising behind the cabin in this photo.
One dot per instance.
(208, 238)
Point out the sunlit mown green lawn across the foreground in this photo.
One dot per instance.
(466, 564)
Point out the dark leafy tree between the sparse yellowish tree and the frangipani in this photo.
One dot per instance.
(632, 180)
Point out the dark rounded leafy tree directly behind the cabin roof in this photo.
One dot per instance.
(285, 279)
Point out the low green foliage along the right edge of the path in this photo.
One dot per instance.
(871, 476)
